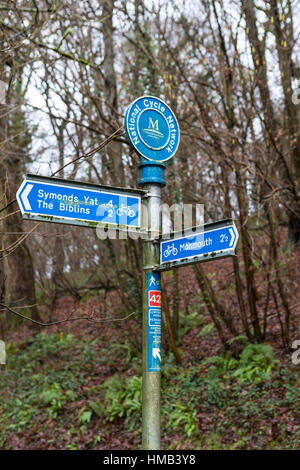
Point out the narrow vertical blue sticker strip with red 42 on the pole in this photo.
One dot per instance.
(154, 321)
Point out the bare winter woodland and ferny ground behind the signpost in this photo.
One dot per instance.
(231, 73)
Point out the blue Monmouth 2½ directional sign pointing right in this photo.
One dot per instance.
(214, 240)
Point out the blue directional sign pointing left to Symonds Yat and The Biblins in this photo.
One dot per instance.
(70, 202)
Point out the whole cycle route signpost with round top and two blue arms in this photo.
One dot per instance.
(152, 130)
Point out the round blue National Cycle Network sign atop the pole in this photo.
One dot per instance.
(152, 129)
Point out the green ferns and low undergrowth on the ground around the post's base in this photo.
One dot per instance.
(74, 393)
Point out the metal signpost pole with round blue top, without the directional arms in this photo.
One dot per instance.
(152, 129)
